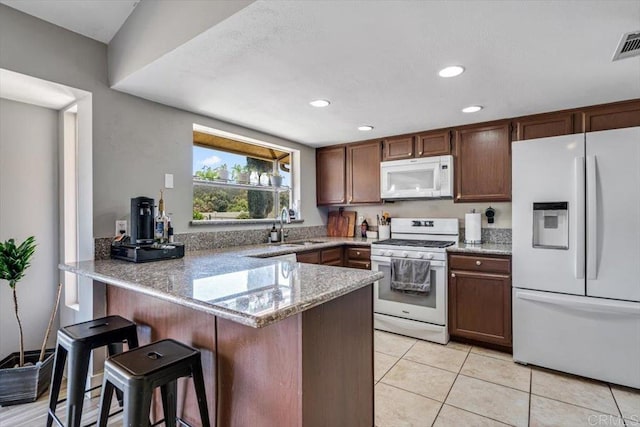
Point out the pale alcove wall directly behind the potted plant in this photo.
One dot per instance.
(29, 206)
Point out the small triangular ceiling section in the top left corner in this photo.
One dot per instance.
(96, 19)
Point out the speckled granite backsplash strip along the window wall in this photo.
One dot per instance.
(220, 239)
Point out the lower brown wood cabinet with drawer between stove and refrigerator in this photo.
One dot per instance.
(480, 298)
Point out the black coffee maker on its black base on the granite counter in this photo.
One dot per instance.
(140, 245)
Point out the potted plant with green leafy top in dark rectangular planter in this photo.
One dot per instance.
(24, 376)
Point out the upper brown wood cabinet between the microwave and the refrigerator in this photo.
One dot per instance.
(483, 163)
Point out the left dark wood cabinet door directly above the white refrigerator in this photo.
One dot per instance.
(544, 125)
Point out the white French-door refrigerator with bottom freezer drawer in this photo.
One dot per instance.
(576, 254)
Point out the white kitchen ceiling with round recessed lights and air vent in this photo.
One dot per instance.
(378, 62)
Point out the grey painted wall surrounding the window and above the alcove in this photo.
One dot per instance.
(135, 142)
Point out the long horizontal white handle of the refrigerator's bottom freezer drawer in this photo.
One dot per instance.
(596, 306)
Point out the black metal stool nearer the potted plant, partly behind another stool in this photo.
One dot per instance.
(77, 342)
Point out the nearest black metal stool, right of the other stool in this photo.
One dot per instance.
(139, 371)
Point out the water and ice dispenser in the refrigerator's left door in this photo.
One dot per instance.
(551, 225)
